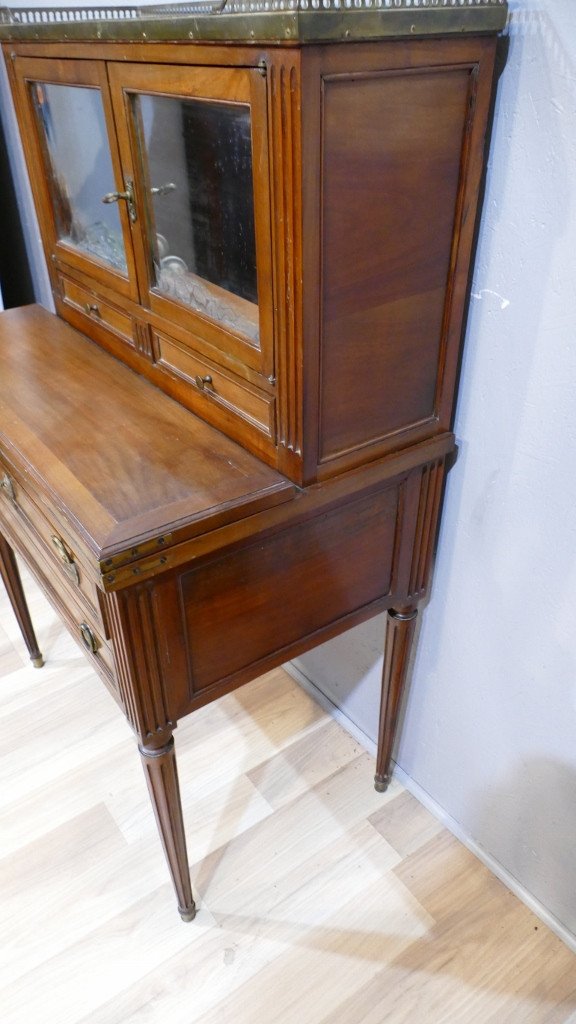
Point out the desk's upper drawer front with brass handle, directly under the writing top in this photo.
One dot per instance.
(61, 550)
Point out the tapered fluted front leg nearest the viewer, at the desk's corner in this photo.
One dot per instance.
(162, 779)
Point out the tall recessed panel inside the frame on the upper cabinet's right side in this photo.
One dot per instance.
(393, 146)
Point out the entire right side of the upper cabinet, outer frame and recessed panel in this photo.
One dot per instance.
(388, 239)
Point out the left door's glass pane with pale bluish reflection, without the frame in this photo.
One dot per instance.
(76, 142)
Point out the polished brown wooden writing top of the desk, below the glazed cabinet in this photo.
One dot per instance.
(122, 461)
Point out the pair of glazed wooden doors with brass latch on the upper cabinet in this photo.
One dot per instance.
(148, 180)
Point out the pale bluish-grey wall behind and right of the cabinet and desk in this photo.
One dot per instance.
(490, 726)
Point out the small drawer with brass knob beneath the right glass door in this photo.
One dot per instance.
(214, 387)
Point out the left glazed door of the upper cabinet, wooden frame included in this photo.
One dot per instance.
(75, 169)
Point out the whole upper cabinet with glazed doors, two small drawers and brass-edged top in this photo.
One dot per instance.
(278, 233)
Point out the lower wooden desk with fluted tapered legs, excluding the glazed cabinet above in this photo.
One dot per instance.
(183, 565)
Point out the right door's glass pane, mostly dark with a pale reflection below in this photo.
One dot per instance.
(197, 160)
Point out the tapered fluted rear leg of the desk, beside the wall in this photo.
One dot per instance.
(400, 633)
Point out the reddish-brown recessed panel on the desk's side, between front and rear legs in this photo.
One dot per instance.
(274, 593)
